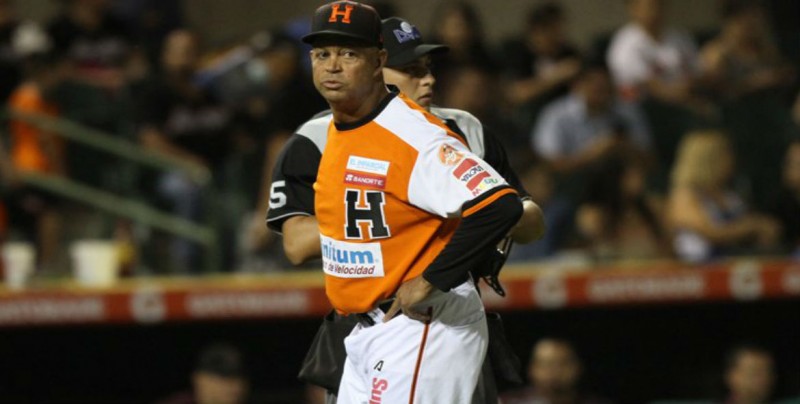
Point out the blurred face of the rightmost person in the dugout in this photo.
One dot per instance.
(751, 377)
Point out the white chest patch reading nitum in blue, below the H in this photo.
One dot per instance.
(351, 260)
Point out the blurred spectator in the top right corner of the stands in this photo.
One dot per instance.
(743, 58)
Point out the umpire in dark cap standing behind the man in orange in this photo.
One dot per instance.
(292, 205)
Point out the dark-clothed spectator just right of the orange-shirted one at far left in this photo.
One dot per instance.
(99, 47)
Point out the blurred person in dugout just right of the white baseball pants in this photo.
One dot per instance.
(554, 373)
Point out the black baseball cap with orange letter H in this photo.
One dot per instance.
(346, 20)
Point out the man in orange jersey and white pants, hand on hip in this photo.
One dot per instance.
(421, 223)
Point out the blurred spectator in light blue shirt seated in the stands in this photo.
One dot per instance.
(584, 127)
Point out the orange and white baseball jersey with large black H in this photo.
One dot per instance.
(389, 194)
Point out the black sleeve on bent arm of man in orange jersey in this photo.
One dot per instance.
(474, 236)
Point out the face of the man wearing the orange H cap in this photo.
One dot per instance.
(344, 74)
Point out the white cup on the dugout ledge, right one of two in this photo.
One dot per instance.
(95, 263)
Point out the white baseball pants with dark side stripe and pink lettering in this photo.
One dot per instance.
(407, 361)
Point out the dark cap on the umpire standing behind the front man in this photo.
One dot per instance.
(403, 42)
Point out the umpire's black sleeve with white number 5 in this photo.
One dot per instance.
(293, 177)
